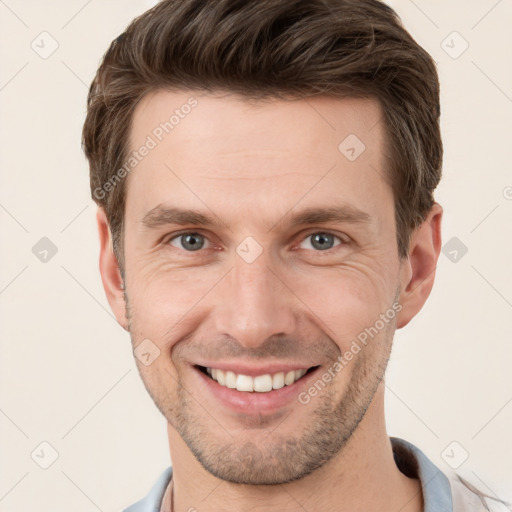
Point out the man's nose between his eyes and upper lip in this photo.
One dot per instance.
(254, 303)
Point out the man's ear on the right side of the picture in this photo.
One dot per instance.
(418, 270)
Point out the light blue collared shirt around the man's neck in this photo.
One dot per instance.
(440, 493)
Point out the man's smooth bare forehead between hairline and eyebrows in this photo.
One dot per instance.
(224, 148)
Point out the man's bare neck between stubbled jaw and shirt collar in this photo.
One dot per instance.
(363, 476)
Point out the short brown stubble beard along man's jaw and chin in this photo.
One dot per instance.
(275, 458)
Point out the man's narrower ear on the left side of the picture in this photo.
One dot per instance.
(109, 270)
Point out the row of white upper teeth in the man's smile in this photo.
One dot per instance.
(260, 383)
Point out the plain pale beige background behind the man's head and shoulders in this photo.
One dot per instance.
(67, 375)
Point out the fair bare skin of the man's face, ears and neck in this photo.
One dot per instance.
(251, 167)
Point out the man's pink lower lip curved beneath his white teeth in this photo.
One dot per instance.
(254, 402)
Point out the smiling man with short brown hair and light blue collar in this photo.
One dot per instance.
(264, 172)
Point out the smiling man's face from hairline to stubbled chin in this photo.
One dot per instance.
(255, 245)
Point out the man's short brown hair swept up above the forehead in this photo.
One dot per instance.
(272, 49)
